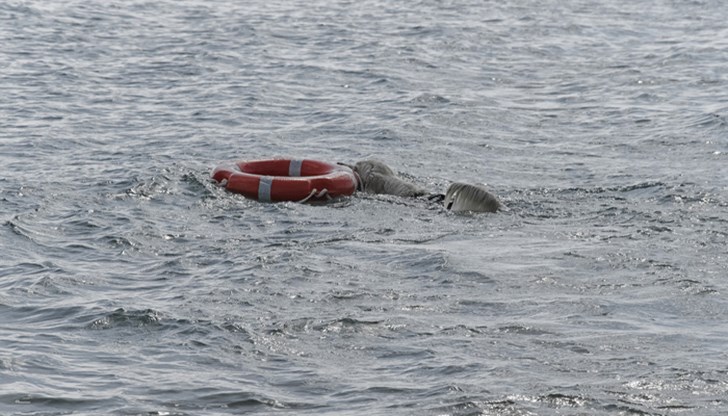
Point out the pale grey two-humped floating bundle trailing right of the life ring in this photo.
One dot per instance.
(374, 177)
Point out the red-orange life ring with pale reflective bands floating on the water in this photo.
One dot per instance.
(275, 180)
